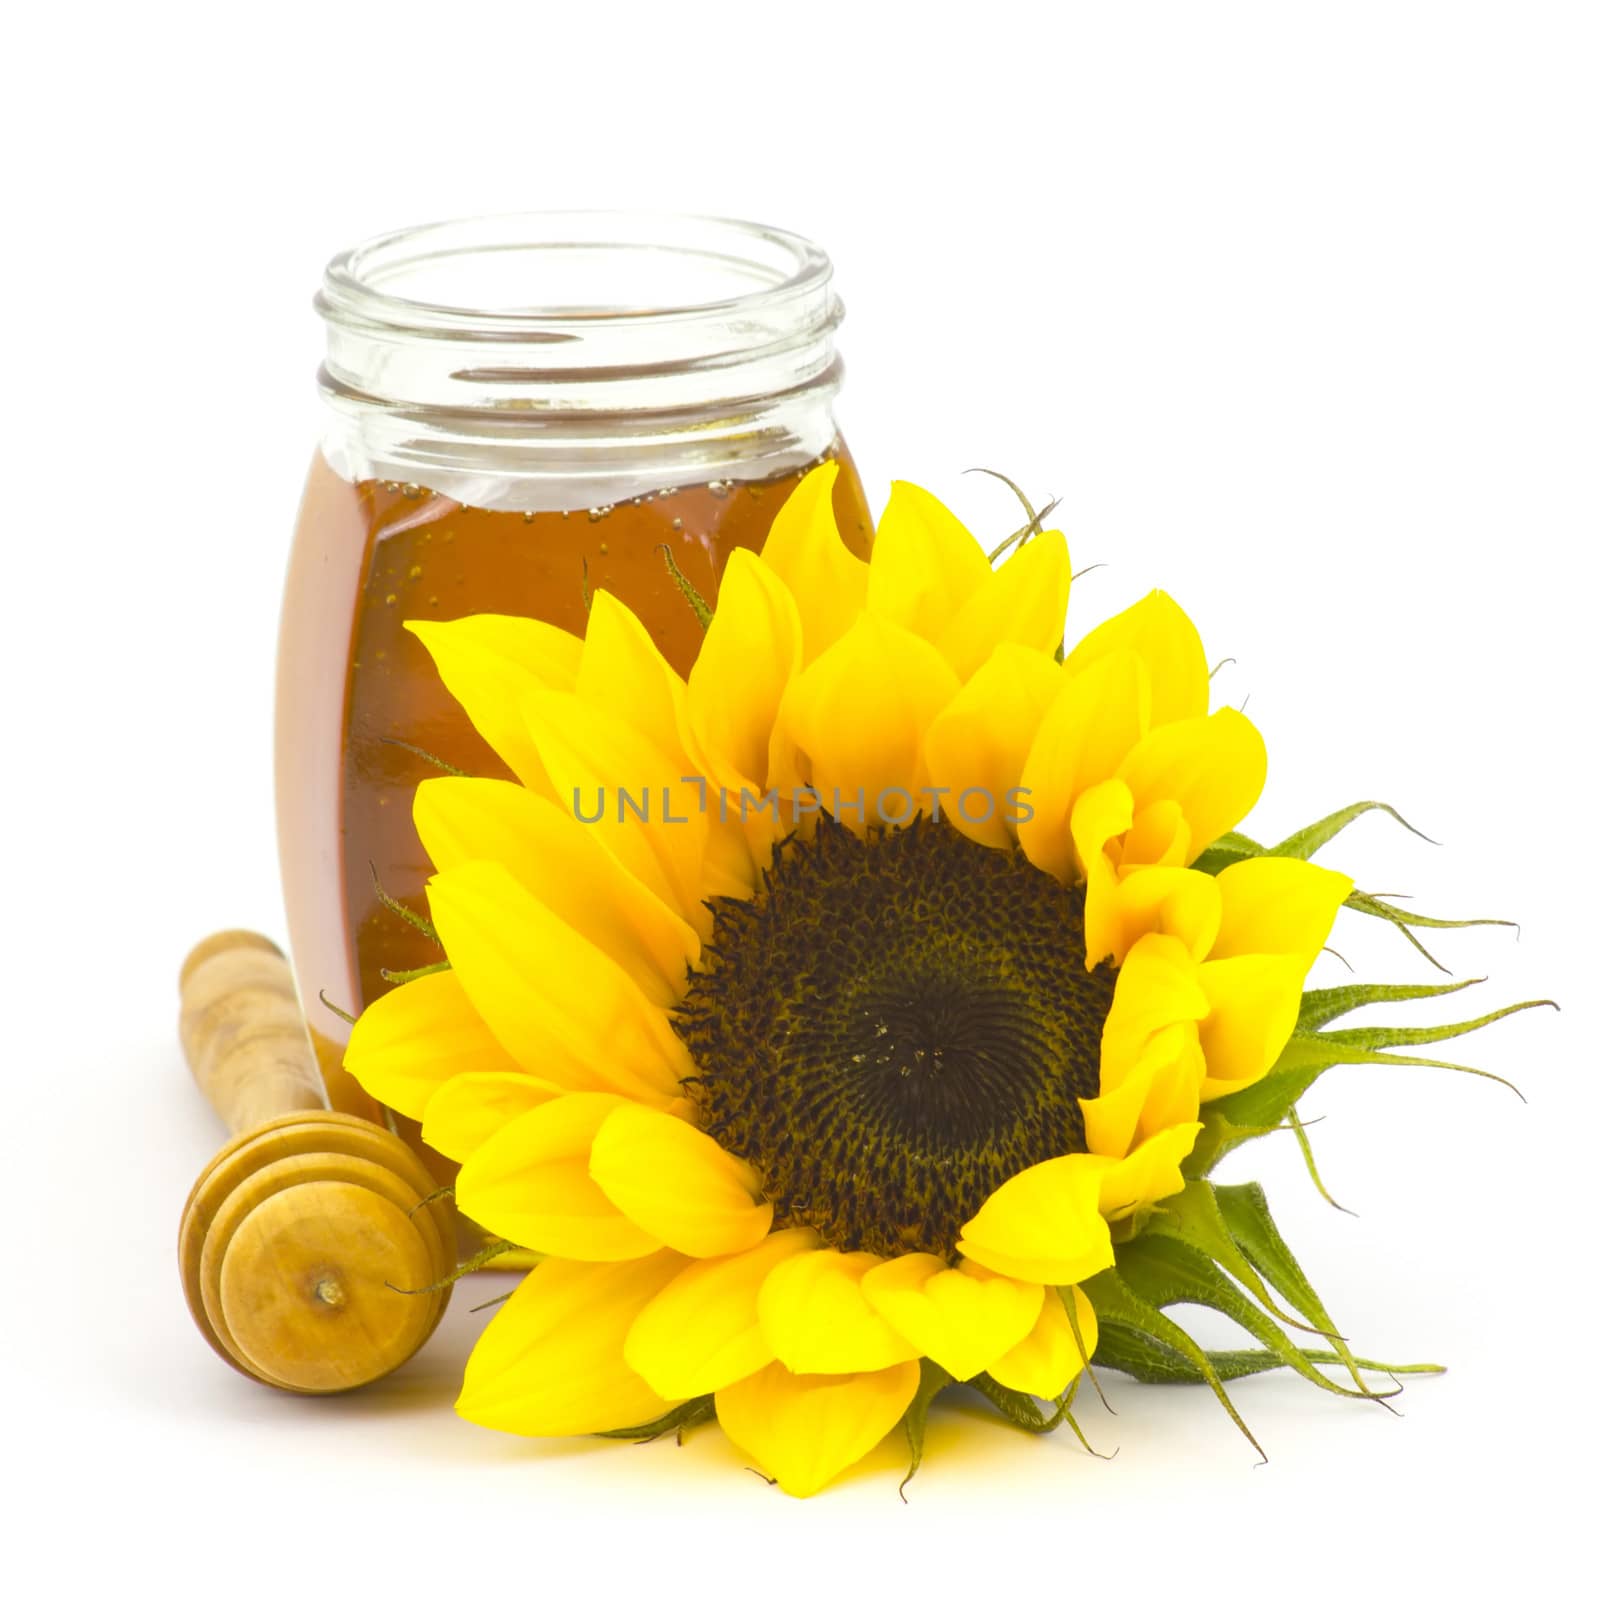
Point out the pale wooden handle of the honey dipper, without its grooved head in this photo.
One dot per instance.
(242, 1031)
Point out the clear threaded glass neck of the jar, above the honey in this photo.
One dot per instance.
(578, 343)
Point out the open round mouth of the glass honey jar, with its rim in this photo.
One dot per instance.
(561, 278)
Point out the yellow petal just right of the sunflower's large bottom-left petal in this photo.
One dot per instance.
(702, 1332)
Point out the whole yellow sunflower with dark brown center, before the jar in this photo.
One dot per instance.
(839, 1022)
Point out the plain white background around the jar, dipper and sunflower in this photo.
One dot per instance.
(1297, 310)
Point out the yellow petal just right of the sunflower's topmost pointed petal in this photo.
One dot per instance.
(926, 566)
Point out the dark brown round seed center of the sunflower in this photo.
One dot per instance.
(894, 1028)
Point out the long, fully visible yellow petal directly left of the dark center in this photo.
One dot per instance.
(561, 1007)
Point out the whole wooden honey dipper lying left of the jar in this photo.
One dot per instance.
(305, 1226)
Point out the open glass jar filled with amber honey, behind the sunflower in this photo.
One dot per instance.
(521, 410)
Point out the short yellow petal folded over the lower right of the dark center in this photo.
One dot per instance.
(1042, 1226)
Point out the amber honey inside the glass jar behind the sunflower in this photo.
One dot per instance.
(361, 710)
